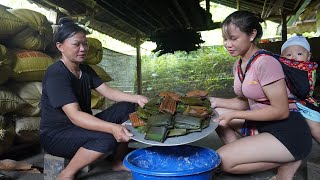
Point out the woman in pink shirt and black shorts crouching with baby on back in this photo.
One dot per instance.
(280, 136)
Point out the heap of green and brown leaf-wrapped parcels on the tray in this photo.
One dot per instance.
(170, 114)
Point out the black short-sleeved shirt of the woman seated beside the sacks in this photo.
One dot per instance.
(61, 87)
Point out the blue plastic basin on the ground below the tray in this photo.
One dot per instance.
(172, 162)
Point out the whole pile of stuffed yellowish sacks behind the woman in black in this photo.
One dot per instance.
(25, 45)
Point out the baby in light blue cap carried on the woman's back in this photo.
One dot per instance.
(298, 48)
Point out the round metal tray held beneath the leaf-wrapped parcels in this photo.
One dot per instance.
(172, 141)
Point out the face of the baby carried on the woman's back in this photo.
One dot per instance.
(296, 52)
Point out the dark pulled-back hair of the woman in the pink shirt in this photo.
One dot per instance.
(246, 21)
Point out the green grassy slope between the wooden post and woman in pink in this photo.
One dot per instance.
(209, 68)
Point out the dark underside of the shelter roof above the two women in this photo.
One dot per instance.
(127, 20)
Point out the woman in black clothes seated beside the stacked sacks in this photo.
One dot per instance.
(68, 128)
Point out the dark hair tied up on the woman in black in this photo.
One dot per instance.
(66, 29)
